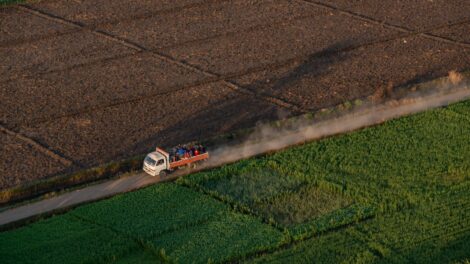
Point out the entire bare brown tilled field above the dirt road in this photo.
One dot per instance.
(96, 81)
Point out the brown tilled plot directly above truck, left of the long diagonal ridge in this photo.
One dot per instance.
(136, 127)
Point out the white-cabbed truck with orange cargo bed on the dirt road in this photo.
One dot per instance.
(161, 162)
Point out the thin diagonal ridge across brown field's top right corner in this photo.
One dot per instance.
(388, 25)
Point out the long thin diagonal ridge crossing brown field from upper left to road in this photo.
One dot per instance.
(127, 43)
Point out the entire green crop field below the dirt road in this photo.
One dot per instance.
(394, 193)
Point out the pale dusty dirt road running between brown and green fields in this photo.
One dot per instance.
(362, 118)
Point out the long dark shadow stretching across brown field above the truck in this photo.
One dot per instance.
(239, 112)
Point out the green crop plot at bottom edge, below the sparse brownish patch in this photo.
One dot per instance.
(228, 237)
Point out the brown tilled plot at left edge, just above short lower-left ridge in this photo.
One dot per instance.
(92, 87)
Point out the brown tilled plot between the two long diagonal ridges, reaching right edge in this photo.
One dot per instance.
(328, 77)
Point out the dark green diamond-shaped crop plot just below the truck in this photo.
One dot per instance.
(153, 210)
